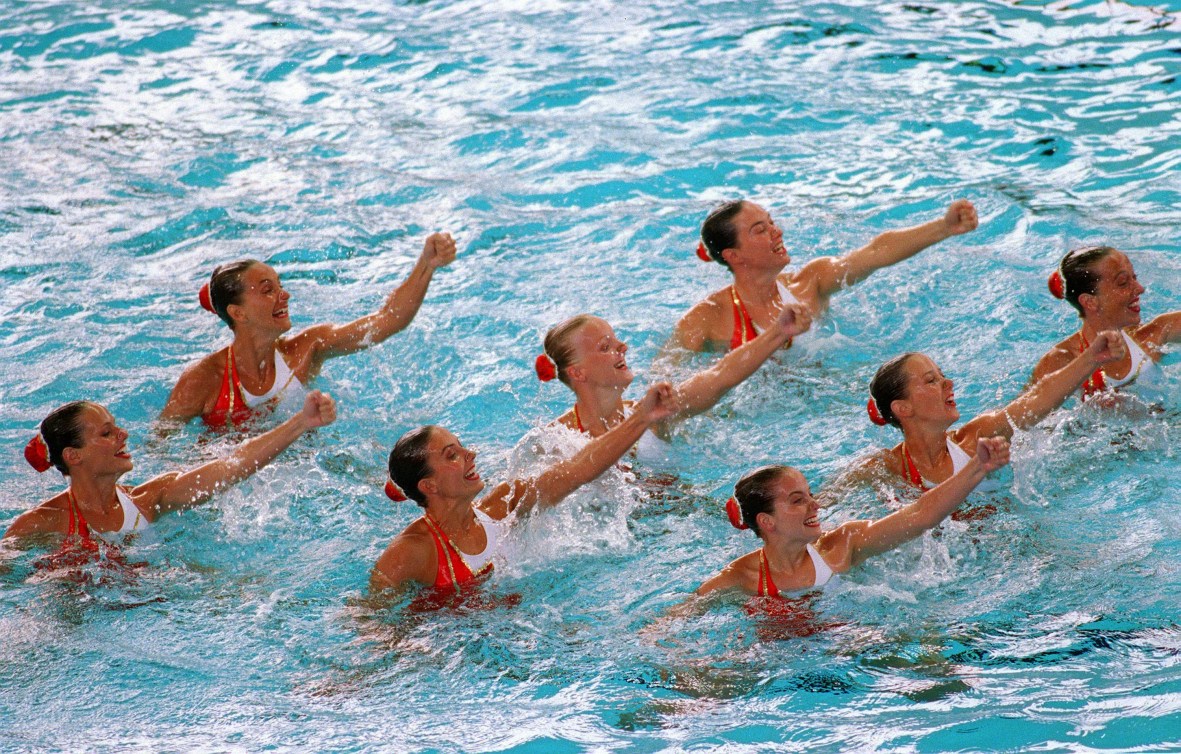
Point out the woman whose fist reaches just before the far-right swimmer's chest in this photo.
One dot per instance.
(911, 393)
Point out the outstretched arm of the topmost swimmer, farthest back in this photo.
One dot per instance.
(891, 248)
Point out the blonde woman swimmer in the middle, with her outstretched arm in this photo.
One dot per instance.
(585, 354)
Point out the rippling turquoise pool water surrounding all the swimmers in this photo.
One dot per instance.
(573, 149)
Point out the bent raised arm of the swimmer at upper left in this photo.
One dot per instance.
(397, 313)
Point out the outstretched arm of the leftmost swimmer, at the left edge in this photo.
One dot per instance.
(179, 491)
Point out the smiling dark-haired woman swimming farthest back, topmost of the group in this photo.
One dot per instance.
(743, 237)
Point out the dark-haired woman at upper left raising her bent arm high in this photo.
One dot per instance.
(253, 374)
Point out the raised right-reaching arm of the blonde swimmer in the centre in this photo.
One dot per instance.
(706, 388)
